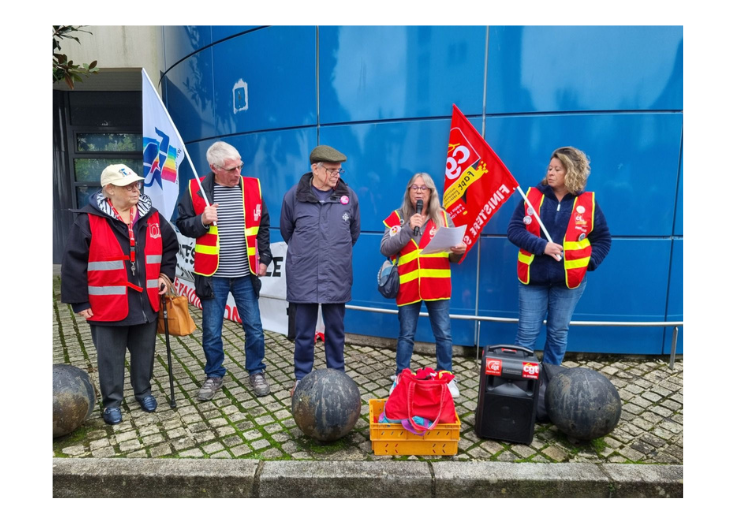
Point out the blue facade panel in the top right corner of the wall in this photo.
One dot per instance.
(552, 69)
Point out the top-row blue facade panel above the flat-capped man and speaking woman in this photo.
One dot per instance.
(398, 72)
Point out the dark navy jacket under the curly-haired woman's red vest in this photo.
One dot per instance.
(555, 217)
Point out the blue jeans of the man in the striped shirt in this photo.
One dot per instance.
(213, 311)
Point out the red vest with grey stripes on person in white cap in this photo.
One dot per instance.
(107, 278)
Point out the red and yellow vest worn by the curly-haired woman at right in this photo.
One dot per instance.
(576, 245)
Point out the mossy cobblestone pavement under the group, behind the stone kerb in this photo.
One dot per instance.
(237, 424)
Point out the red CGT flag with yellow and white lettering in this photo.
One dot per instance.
(476, 181)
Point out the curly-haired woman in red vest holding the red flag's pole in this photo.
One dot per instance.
(553, 273)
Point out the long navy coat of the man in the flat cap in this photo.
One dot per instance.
(319, 261)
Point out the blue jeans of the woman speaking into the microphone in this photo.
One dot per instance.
(439, 318)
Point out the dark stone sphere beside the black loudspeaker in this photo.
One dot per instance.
(583, 403)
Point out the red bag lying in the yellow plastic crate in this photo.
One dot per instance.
(424, 394)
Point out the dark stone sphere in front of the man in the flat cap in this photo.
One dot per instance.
(326, 404)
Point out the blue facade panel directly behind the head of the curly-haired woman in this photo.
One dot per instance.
(634, 163)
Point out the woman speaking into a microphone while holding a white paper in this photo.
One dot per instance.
(422, 277)
